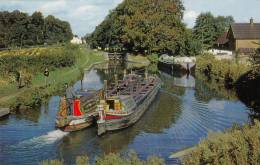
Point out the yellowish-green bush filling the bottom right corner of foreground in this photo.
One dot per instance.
(236, 146)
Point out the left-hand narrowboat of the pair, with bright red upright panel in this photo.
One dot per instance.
(78, 112)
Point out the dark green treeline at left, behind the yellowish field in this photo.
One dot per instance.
(18, 29)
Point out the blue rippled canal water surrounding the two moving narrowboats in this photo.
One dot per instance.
(183, 113)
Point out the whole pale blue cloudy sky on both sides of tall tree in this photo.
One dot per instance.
(85, 15)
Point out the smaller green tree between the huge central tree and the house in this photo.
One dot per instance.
(208, 28)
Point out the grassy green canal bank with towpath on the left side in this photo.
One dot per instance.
(37, 92)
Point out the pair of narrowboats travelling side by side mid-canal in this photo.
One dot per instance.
(115, 107)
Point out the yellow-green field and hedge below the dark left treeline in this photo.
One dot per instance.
(35, 60)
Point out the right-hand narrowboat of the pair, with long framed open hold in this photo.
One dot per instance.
(126, 102)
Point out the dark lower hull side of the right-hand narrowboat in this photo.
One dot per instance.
(121, 122)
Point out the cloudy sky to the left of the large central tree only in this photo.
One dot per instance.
(83, 15)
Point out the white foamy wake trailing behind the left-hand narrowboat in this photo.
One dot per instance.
(43, 140)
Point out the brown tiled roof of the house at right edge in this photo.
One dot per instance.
(246, 30)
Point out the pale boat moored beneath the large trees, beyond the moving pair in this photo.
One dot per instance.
(184, 64)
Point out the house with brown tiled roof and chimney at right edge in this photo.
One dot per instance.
(243, 37)
